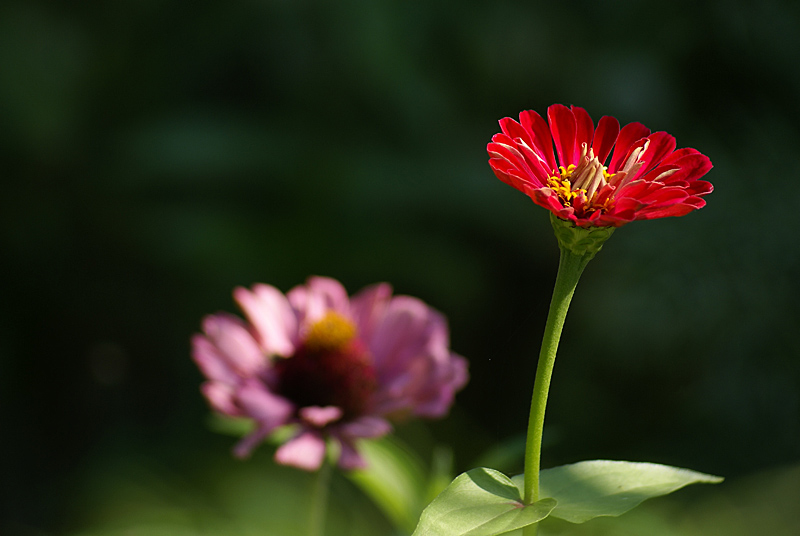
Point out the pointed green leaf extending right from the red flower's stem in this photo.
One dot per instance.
(590, 489)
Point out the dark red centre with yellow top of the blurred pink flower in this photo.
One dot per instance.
(331, 367)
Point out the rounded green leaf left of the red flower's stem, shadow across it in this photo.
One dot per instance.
(480, 502)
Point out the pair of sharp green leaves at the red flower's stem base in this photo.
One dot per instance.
(485, 502)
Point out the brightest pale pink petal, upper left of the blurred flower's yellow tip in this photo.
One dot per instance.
(271, 315)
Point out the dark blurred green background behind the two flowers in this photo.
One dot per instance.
(156, 154)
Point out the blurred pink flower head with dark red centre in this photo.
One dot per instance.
(336, 367)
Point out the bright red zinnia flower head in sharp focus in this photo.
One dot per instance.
(645, 178)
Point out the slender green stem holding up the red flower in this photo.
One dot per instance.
(570, 267)
